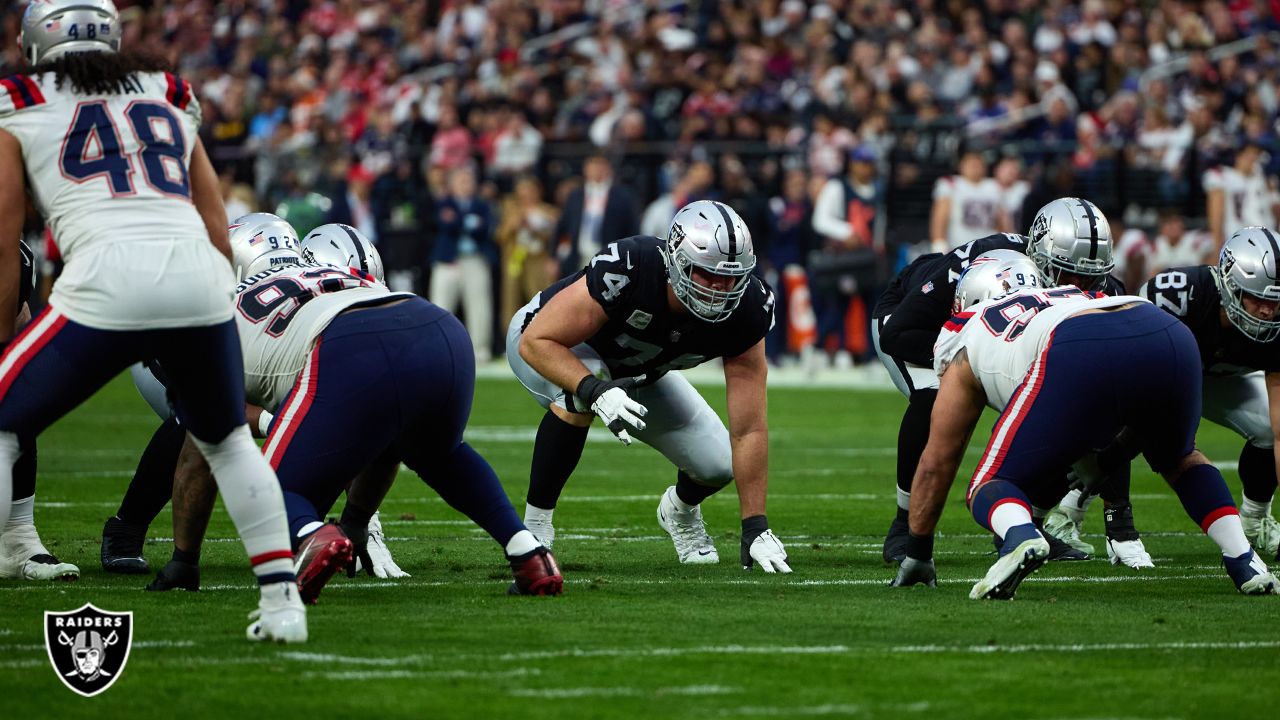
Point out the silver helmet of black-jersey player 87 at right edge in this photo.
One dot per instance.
(1249, 266)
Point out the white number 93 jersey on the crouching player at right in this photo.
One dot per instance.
(1007, 335)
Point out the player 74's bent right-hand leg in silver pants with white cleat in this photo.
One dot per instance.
(684, 429)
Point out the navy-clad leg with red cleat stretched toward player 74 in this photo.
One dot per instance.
(433, 448)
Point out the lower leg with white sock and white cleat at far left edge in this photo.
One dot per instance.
(22, 554)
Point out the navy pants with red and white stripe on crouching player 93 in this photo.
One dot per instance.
(1136, 368)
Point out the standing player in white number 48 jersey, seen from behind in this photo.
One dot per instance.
(108, 147)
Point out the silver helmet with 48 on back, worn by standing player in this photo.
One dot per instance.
(52, 29)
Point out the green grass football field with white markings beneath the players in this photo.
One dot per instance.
(637, 635)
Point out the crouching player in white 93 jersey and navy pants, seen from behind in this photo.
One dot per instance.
(1032, 354)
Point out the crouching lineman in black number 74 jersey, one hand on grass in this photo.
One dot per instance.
(605, 341)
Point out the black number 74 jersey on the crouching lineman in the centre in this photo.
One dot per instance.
(643, 336)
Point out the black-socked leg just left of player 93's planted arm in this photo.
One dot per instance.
(921, 388)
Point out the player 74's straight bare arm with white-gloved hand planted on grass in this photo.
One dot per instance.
(749, 438)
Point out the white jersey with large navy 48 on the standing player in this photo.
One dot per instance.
(111, 175)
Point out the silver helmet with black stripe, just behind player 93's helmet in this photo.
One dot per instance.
(1072, 236)
